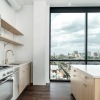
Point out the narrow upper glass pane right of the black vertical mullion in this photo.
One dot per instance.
(93, 36)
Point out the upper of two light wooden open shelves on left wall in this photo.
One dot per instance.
(10, 28)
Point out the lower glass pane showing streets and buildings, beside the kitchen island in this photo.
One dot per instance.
(60, 70)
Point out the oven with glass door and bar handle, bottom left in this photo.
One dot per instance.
(6, 88)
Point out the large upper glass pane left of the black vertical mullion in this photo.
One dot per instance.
(68, 36)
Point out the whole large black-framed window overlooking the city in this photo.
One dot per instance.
(74, 39)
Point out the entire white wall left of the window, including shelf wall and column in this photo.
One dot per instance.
(23, 21)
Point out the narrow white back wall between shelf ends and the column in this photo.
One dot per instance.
(24, 22)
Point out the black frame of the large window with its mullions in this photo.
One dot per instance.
(85, 10)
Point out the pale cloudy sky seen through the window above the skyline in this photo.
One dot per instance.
(68, 33)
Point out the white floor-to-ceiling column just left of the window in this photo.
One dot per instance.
(40, 43)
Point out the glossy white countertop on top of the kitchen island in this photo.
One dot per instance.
(93, 70)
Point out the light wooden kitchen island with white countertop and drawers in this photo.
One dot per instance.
(85, 82)
